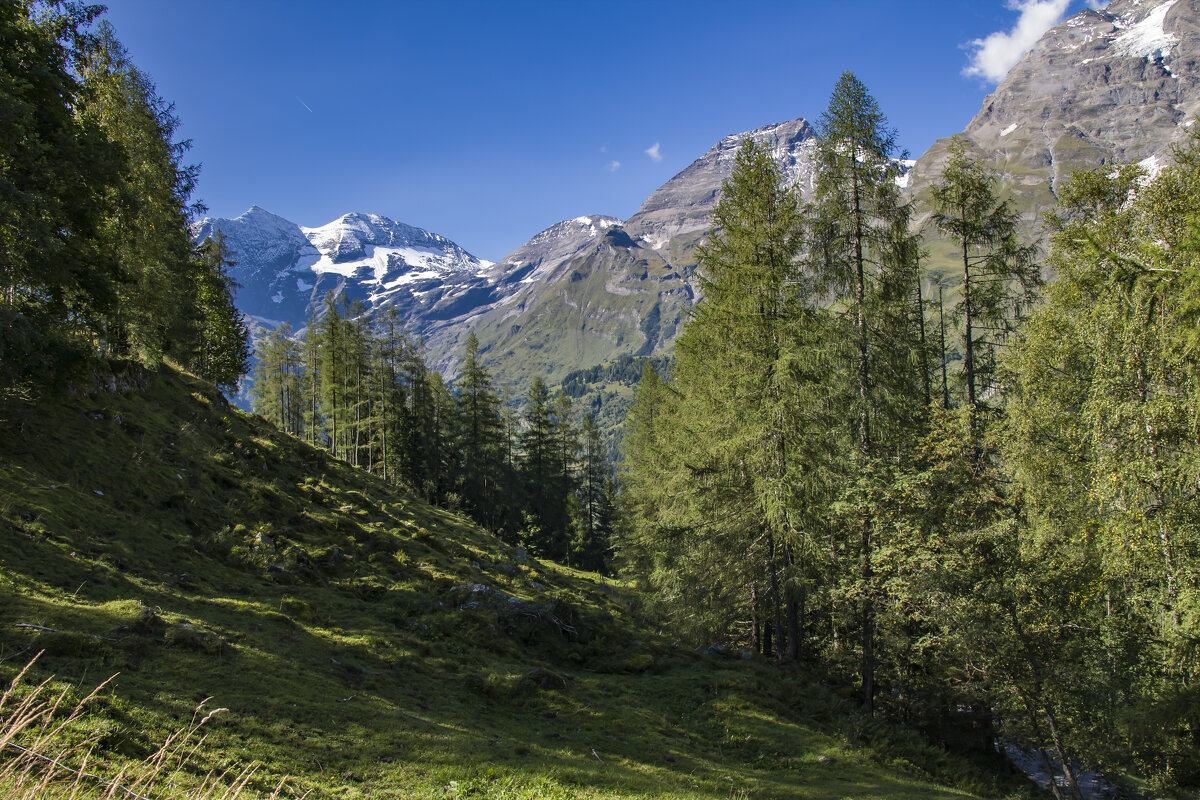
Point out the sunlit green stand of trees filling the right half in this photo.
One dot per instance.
(1006, 549)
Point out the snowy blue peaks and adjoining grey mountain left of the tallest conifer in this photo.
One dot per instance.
(580, 293)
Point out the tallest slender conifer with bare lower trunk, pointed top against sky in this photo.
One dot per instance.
(859, 251)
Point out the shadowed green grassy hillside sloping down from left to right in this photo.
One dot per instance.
(199, 554)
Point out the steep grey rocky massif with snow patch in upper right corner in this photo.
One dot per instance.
(1117, 86)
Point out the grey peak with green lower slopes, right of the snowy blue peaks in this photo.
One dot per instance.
(613, 288)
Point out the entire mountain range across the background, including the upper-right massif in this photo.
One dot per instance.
(1106, 87)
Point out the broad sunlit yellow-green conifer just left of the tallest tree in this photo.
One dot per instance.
(722, 465)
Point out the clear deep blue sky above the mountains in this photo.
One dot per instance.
(490, 122)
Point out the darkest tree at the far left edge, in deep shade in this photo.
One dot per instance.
(58, 280)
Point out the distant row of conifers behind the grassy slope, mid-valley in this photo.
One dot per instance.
(361, 388)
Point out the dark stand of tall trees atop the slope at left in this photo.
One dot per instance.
(97, 258)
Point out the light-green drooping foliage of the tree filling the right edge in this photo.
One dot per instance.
(1101, 438)
